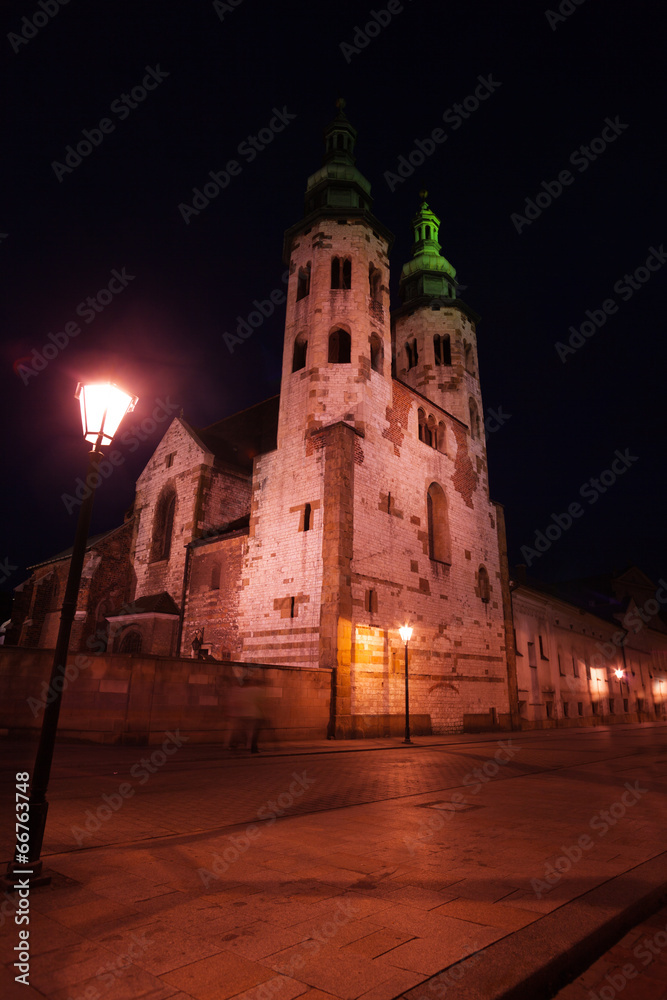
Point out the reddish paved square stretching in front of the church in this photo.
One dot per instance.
(349, 870)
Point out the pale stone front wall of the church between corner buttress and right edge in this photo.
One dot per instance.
(457, 654)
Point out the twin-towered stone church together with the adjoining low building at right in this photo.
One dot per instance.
(304, 531)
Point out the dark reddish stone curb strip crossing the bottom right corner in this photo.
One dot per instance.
(560, 946)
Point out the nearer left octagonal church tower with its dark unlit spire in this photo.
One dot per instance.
(337, 328)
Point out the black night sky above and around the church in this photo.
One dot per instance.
(222, 72)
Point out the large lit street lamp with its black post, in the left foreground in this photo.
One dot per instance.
(103, 406)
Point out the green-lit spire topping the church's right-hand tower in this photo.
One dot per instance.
(428, 273)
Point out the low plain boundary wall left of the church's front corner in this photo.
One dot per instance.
(116, 698)
